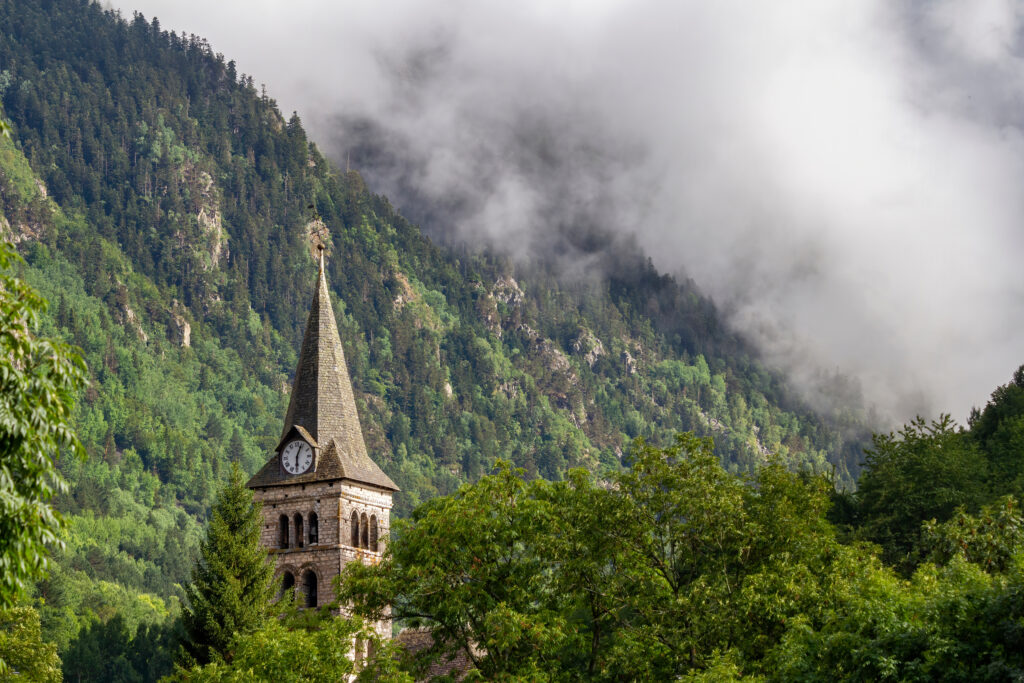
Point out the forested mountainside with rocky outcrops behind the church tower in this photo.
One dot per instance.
(162, 203)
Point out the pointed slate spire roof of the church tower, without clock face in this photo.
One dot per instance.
(323, 407)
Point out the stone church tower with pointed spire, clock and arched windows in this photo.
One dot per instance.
(325, 502)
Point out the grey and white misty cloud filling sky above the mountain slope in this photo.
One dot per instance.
(844, 179)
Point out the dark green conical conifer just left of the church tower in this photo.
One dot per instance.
(232, 588)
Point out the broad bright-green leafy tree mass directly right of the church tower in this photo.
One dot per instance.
(654, 577)
